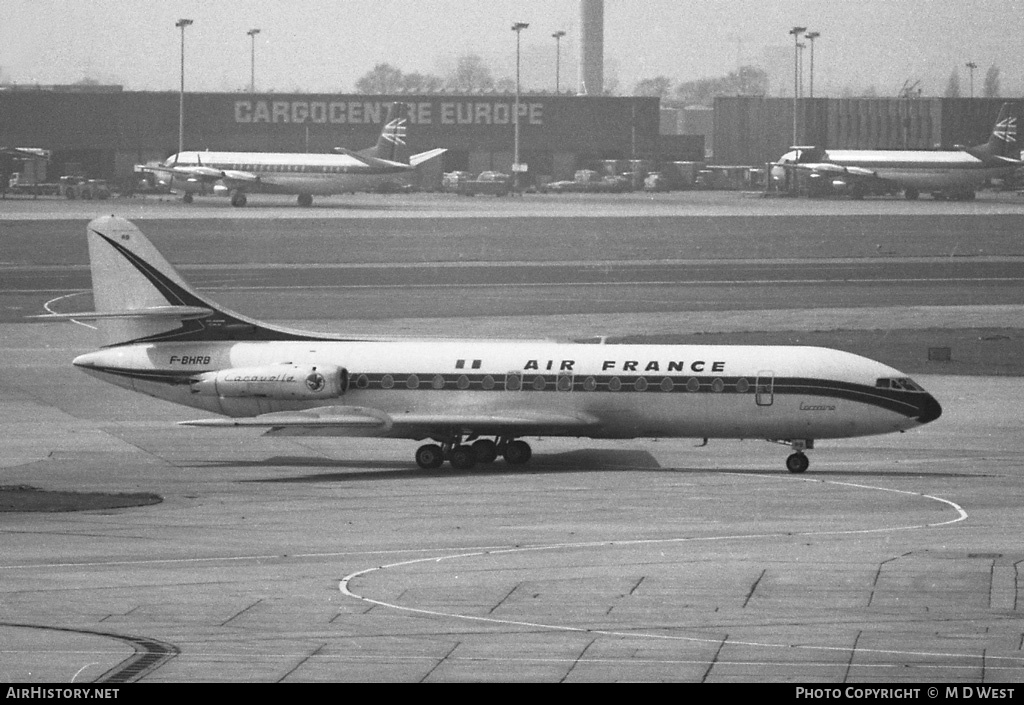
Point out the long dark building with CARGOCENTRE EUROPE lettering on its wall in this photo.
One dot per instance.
(106, 133)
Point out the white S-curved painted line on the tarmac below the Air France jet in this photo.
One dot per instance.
(345, 584)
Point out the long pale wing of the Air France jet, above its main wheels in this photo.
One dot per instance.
(338, 421)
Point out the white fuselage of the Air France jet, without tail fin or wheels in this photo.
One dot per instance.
(629, 391)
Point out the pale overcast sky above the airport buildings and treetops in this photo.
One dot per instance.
(326, 47)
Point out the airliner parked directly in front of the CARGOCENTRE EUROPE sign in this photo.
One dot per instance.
(301, 174)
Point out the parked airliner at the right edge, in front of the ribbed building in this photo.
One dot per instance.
(947, 175)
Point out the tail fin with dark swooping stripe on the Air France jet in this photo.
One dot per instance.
(140, 298)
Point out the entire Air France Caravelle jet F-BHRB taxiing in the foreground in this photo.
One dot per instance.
(474, 400)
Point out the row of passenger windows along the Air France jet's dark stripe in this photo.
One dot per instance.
(515, 383)
